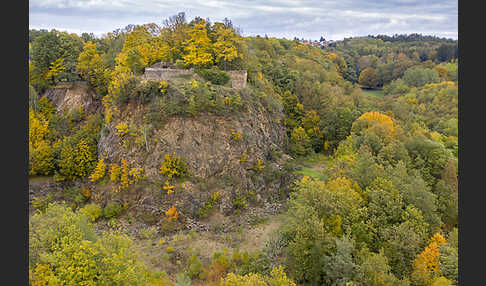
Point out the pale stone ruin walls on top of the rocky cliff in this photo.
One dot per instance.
(163, 70)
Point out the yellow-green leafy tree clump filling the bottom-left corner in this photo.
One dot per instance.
(65, 250)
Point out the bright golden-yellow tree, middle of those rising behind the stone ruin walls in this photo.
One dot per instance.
(198, 47)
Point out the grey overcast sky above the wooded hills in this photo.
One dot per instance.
(309, 19)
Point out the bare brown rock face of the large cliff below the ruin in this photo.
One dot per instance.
(213, 156)
